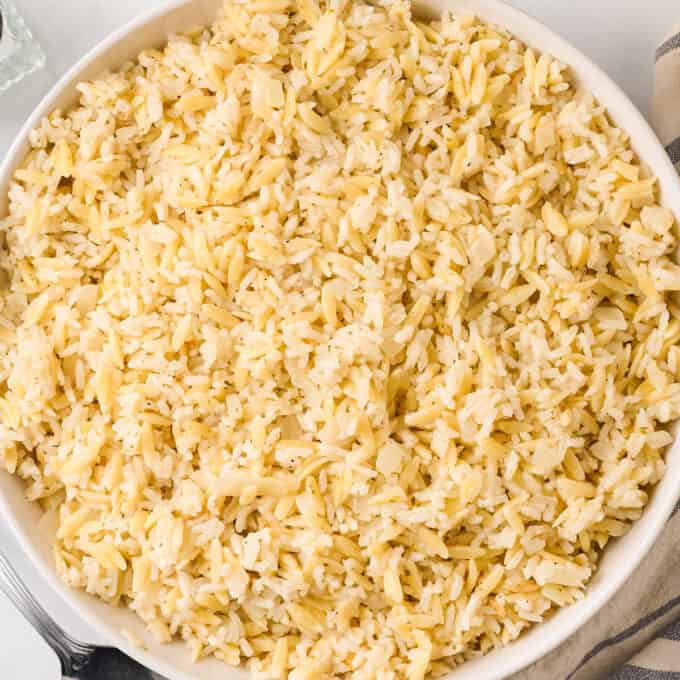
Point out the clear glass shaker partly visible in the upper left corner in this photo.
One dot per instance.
(20, 54)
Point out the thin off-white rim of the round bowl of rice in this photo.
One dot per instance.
(510, 18)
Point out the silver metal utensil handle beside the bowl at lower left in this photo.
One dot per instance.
(73, 655)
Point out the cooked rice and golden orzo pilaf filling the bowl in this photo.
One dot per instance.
(340, 343)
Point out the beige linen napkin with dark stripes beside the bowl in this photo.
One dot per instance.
(636, 636)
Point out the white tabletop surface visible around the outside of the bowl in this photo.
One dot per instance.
(620, 35)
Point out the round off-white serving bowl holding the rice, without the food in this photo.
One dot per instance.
(621, 557)
